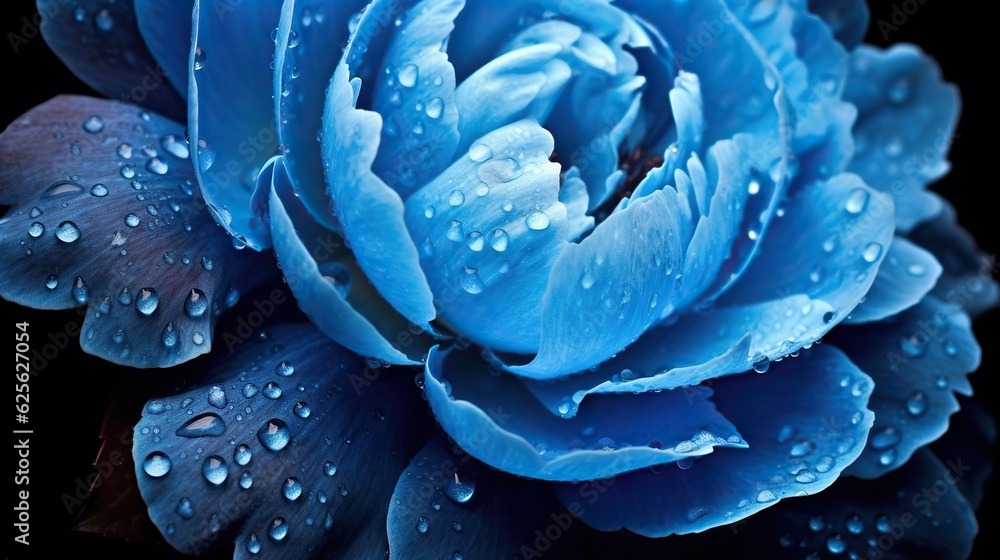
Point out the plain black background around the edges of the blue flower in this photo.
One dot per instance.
(70, 399)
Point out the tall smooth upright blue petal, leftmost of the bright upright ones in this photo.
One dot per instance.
(230, 111)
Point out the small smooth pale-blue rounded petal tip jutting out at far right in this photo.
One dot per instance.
(906, 275)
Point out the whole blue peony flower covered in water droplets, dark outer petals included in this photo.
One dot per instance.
(607, 238)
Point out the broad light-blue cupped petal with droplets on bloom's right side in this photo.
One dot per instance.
(828, 245)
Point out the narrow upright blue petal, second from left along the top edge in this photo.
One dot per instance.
(302, 75)
